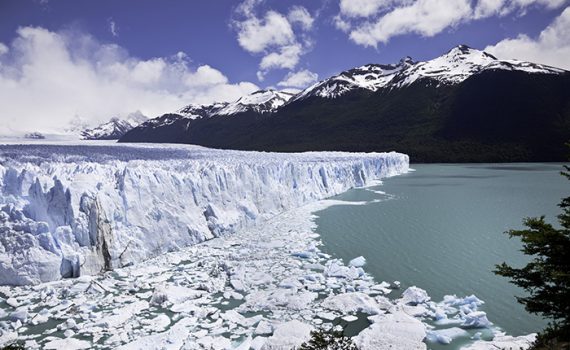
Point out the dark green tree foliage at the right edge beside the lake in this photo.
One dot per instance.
(546, 277)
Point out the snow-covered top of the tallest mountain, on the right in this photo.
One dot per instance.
(454, 67)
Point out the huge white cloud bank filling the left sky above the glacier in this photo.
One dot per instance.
(49, 80)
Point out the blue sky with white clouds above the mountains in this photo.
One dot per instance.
(72, 63)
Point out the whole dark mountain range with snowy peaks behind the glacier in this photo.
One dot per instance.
(464, 106)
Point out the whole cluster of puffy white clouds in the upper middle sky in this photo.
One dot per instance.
(280, 40)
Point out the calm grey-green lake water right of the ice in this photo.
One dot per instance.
(441, 228)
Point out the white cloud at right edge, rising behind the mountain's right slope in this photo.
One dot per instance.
(552, 47)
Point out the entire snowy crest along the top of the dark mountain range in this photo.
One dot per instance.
(453, 67)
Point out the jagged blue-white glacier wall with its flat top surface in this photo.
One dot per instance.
(70, 210)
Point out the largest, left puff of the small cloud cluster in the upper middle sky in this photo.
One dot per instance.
(257, 35)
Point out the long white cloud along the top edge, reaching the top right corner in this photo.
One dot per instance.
(370, 22)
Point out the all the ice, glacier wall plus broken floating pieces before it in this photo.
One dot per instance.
(125, 222)
